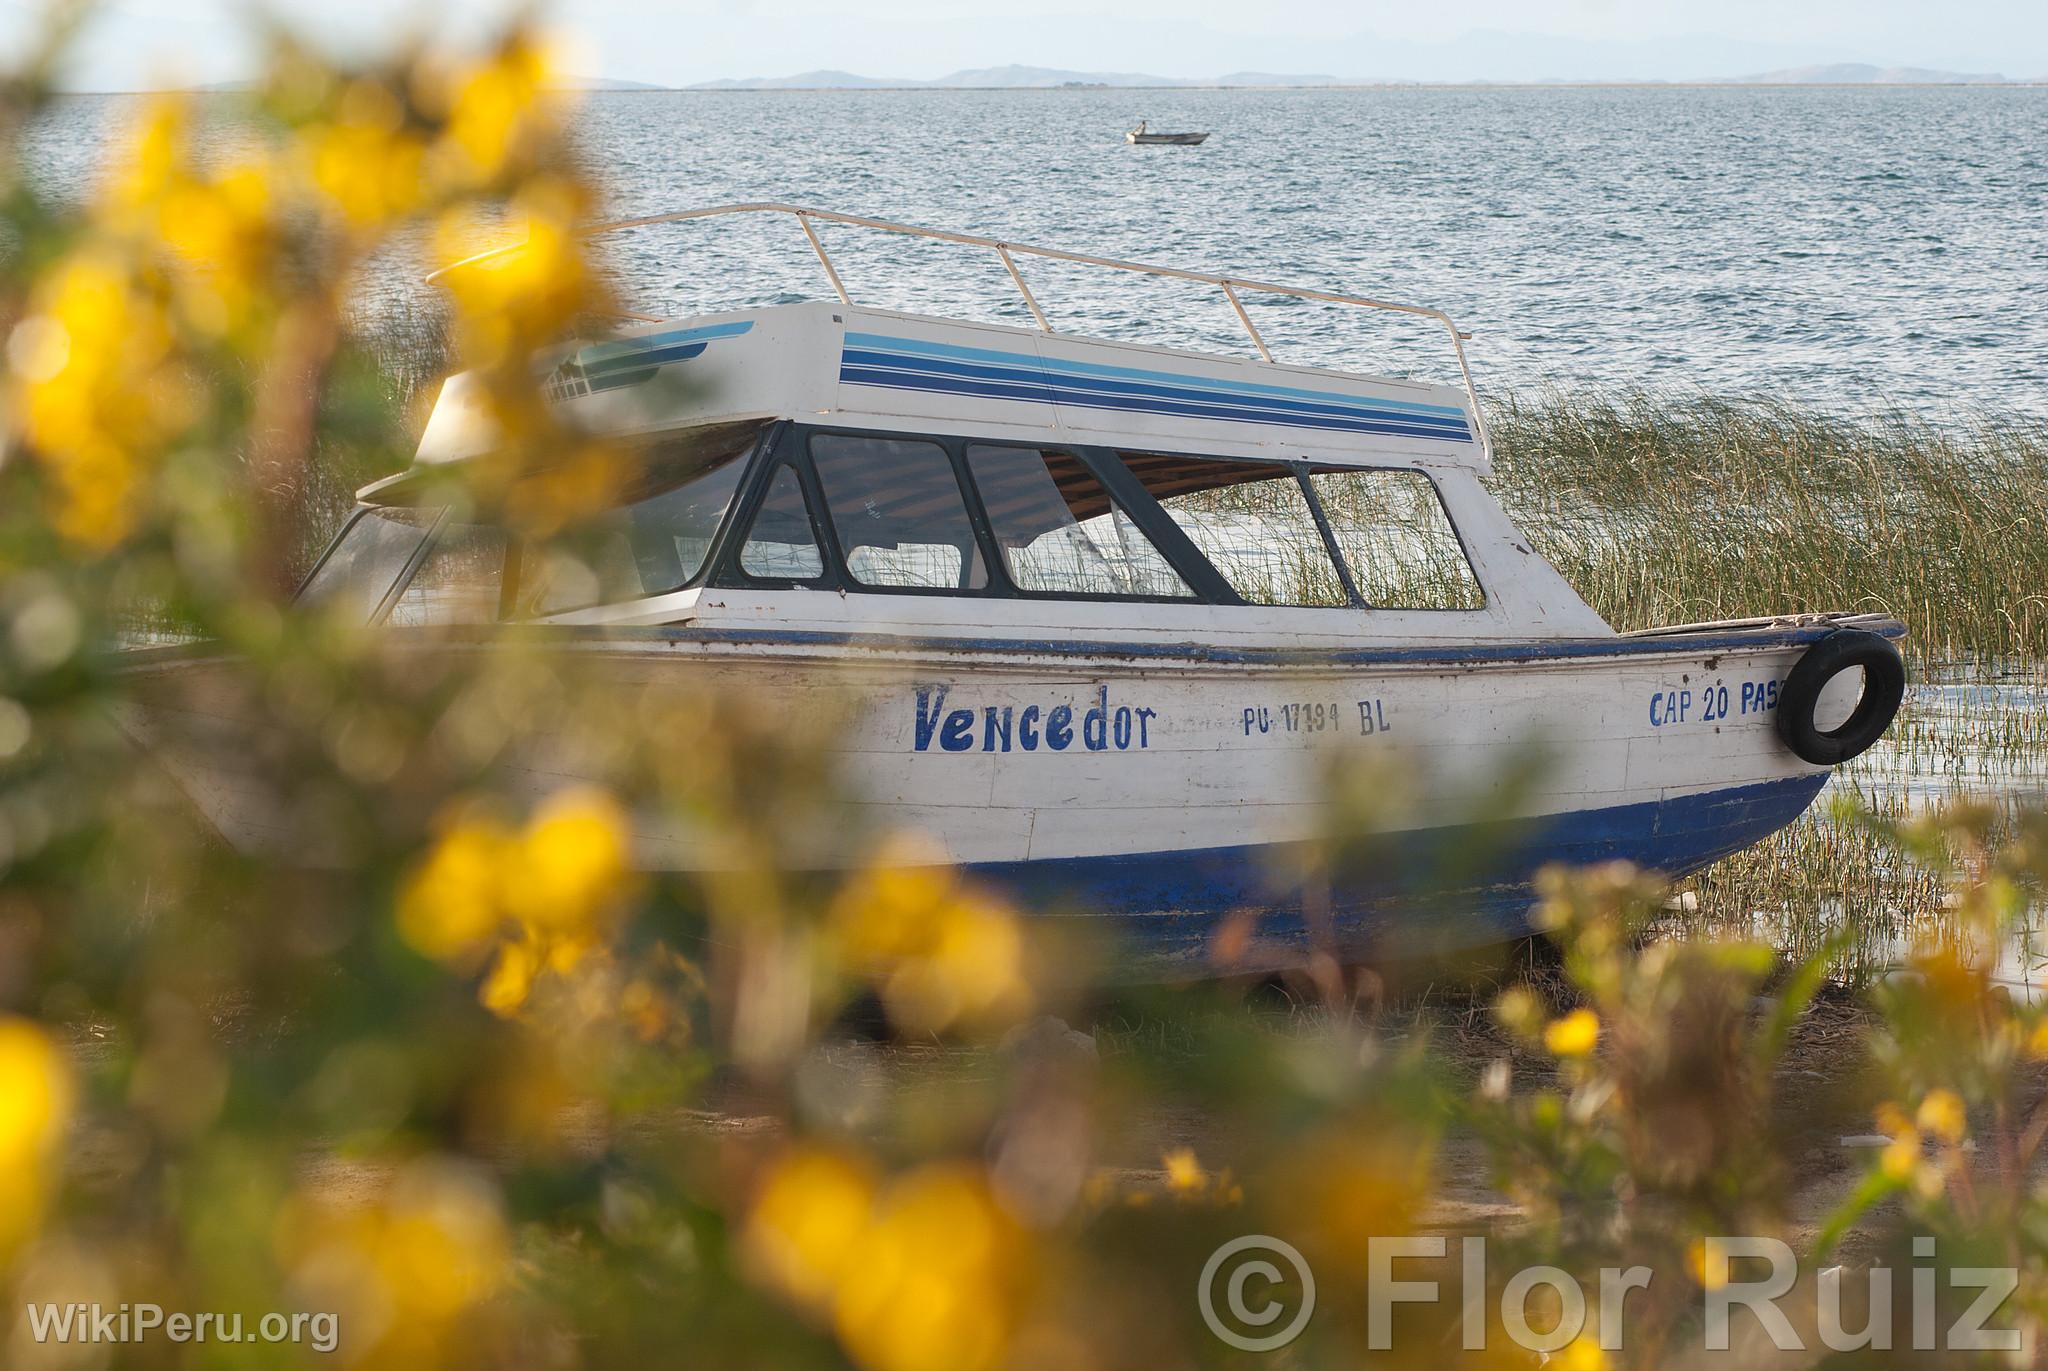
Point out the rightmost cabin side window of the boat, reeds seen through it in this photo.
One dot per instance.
(1398, 540)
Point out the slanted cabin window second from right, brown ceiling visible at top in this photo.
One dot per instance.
(1252, 522)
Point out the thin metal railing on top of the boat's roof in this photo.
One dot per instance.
(1007, 251)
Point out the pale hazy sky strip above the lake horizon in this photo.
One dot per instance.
(679, 42)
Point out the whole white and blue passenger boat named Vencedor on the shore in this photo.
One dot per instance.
(1101, 614)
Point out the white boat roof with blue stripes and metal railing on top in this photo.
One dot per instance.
(849, 366)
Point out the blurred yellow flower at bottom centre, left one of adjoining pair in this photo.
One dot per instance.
(810, 1224)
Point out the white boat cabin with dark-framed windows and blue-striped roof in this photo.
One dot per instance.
(835, 468)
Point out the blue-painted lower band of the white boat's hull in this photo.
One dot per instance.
(1418, 895)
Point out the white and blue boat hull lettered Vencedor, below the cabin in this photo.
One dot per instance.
(1164, 788)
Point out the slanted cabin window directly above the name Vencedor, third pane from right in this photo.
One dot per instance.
(1060, 532)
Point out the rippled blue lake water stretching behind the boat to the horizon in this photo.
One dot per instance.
(1834, 247)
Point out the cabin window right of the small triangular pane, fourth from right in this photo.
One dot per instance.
(898, 511)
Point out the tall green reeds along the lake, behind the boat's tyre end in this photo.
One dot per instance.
(1672, 509)
